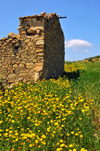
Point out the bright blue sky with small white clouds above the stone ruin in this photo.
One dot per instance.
(81, 27)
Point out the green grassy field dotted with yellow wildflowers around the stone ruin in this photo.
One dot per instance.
(53, 115)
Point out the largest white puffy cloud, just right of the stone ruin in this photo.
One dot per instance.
(77, 43)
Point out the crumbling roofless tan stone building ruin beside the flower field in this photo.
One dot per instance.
(37, 52)
